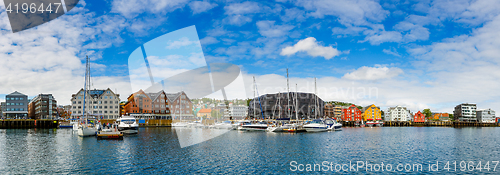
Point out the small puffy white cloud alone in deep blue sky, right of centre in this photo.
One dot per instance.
(312, 48)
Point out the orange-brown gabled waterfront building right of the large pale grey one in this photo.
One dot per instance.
(147, 105)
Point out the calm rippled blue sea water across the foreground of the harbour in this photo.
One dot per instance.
(156, 150)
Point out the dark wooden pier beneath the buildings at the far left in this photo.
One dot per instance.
(27, 123)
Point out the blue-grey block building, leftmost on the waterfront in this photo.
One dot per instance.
(16, 105)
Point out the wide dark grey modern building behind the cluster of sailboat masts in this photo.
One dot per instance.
(309, 106)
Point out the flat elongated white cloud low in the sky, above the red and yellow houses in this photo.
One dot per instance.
(373, 73)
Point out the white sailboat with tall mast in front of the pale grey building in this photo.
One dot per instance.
(86, 129)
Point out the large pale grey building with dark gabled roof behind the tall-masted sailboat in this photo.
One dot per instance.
(103, 104)
